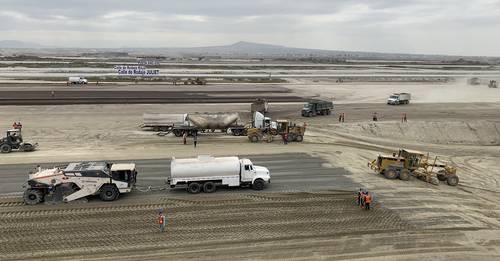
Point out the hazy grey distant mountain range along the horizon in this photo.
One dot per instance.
(240, 49)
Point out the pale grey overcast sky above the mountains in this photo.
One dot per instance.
(461, 27)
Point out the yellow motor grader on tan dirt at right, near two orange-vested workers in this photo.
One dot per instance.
(408, 163)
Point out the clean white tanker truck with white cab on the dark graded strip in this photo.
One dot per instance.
(206, 173)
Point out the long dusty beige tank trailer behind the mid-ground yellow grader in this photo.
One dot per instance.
(193, 123)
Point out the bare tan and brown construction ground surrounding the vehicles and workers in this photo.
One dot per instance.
(307, 212)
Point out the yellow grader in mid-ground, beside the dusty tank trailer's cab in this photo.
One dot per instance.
(294, 132)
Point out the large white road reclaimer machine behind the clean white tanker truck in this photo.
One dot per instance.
(80, 179)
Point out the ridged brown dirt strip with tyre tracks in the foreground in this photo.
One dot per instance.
(219, 220)
